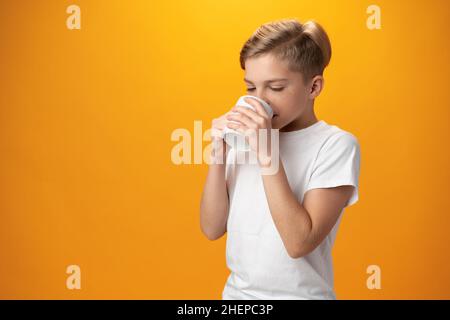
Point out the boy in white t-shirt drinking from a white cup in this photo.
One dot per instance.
(281, 226)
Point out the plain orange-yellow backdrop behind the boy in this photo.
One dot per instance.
(86, 116)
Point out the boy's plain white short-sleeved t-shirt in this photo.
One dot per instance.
(319, 156)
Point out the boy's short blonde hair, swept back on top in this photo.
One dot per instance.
(305, 47)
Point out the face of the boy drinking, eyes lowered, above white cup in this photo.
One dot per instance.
(289, 98)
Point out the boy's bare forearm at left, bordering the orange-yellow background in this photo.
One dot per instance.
(214, 203)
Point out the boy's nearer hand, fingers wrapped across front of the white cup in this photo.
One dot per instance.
(250, 124)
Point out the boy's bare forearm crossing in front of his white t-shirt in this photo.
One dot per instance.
(291, 219)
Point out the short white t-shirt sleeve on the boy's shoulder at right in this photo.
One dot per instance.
(337, 164)
